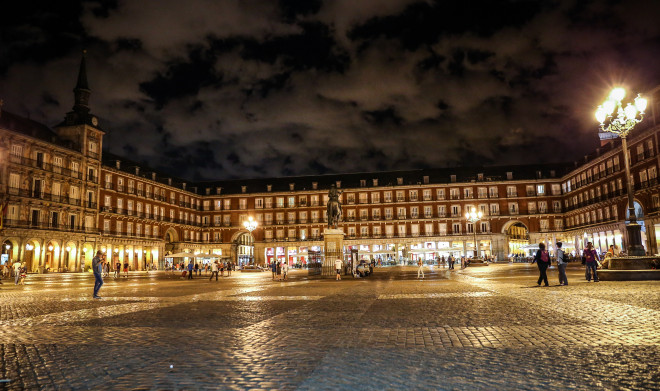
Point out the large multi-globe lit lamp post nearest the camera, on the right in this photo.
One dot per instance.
(614, 118)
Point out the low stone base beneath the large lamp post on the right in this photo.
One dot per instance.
(630, 268)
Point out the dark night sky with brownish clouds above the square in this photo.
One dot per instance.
(263, 88)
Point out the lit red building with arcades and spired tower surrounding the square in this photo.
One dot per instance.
(63, 200)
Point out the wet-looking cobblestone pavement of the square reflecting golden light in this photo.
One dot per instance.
(481, 328)
